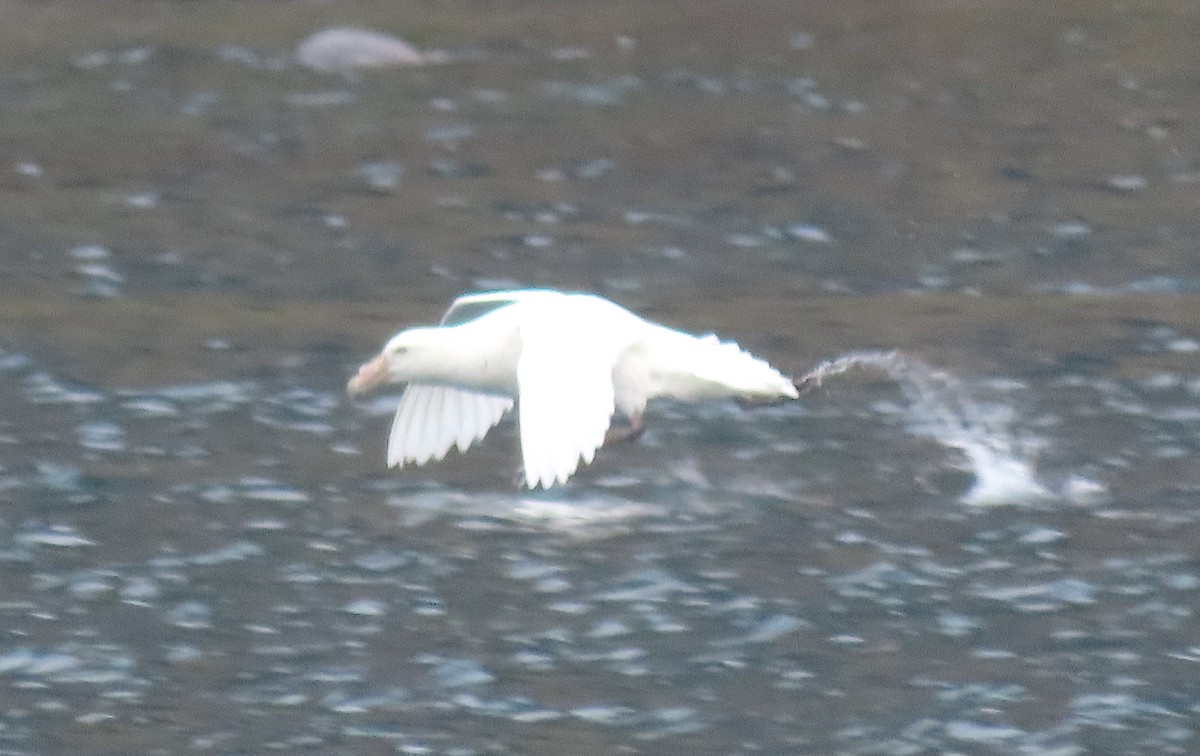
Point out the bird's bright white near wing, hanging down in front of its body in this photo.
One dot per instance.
(566, 399)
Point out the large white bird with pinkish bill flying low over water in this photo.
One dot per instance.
(568, 361)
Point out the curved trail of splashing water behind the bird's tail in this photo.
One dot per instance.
(941, 409)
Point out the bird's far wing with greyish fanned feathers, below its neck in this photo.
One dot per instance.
(433, 419)
